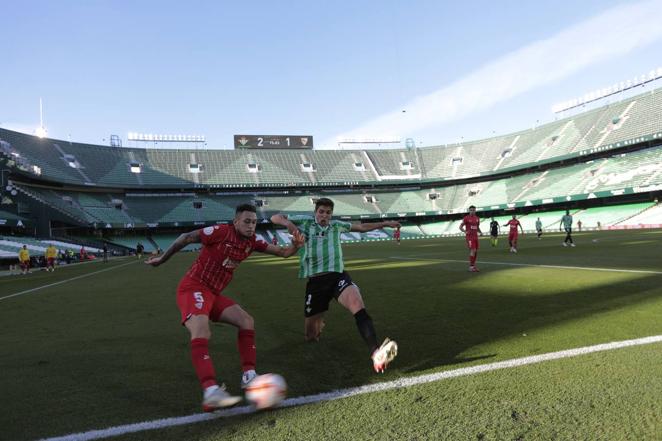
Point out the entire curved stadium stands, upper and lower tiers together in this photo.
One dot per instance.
(138, 190)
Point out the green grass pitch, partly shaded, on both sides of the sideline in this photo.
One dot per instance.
(108, 350)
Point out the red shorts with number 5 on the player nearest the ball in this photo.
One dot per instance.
(195, 298)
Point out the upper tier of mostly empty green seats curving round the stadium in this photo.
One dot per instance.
(616, 124)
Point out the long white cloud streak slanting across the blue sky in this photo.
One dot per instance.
(606, 36)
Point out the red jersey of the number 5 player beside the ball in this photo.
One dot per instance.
(222, 251)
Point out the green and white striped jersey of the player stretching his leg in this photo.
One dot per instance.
(322, 252)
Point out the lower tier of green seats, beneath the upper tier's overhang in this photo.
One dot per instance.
(630, 173)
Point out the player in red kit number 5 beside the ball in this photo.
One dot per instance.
(200, 296)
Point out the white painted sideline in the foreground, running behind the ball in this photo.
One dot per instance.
(344, 393)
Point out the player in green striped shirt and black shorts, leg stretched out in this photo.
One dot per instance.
(321, 262)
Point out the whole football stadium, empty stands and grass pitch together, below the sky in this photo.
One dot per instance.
(554, 333)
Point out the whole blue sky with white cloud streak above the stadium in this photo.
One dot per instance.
(313, 68)
